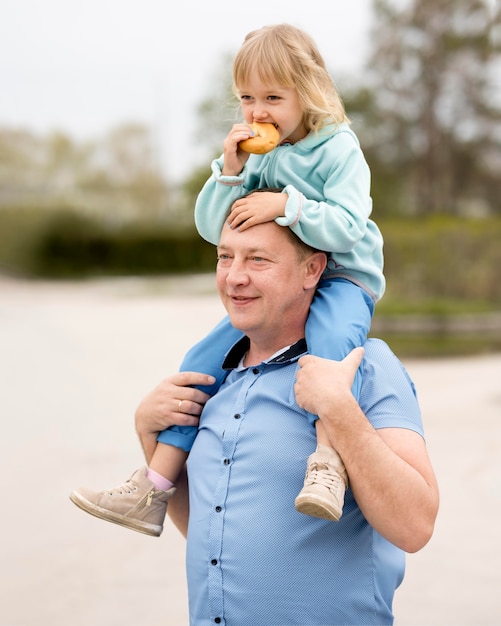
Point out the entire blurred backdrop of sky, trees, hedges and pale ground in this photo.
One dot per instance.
(110, 113)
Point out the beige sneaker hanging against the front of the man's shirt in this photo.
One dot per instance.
(324, 485)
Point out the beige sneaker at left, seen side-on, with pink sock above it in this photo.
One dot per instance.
(137, 504)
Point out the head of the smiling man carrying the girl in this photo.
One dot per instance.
(266, 279)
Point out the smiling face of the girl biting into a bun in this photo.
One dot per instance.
(277, 105)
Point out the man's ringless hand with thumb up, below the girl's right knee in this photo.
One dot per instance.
(322, 384)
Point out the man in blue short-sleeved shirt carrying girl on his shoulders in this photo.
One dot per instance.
(252, 559)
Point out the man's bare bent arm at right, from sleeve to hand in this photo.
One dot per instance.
(389, 469)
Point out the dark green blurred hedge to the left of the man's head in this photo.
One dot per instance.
(69, 245)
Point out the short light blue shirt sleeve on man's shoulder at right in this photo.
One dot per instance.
(388, 396)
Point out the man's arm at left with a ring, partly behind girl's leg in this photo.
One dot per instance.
(174, 401)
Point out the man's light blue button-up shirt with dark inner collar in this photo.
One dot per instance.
(252, 559)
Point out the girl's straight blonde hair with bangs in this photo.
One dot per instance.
(285, 56)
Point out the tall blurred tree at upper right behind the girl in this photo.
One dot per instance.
(429, 115)
